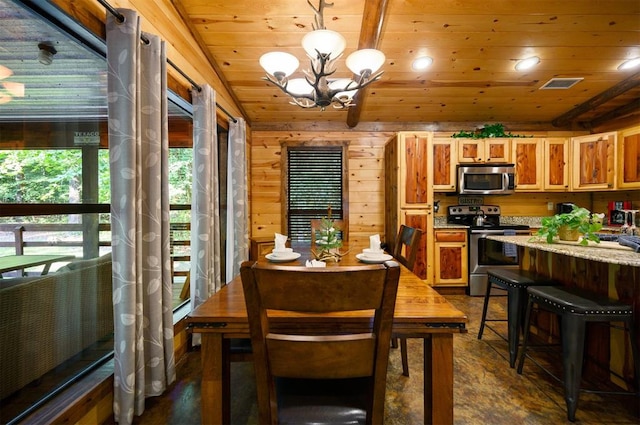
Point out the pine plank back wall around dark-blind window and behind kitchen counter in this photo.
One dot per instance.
(366, 185)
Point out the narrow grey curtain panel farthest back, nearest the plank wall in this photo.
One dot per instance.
(237, 199)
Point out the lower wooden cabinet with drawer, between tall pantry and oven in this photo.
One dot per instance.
(451, 258)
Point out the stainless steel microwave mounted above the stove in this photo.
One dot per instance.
(486, 179)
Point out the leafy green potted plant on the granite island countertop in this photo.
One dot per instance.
(579, 222)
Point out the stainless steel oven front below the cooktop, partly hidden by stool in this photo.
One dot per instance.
(485, 254)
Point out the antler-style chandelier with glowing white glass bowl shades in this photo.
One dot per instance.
(317, 88)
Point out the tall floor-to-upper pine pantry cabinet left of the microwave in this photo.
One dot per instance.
(409, 193)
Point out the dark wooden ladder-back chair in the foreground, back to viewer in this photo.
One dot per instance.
(334, 373)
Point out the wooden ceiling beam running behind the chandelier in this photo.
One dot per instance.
(370, 33)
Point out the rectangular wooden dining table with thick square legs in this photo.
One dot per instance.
(420, 312)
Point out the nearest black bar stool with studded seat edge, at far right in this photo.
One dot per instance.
(576, 307)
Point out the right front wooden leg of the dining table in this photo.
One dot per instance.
(438, 379)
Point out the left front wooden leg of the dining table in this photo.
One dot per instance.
(212, 388)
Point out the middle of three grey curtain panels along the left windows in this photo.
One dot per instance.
(205, 216)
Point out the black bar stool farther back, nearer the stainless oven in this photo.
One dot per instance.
(515, 282)
